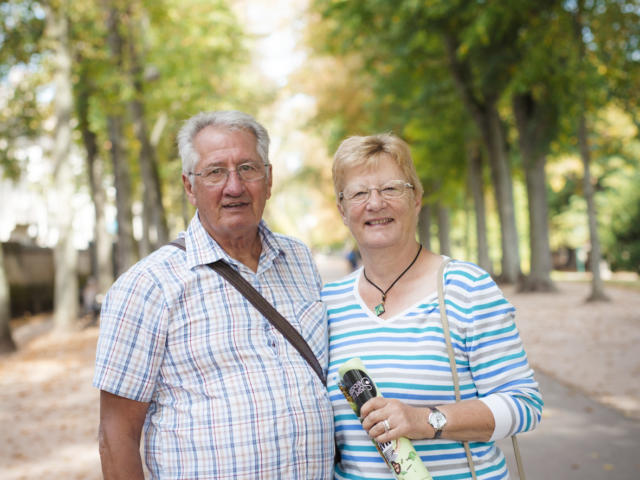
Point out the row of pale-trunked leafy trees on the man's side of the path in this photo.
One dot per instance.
(110, 81)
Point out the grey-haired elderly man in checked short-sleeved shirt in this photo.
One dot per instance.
(219, 391)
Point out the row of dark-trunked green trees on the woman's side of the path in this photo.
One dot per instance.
(508, 84)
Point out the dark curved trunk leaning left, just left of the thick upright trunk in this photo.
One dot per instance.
(487, 119)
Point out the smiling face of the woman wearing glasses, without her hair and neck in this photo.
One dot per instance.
(379, 222)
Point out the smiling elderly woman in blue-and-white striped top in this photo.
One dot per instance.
(387, 313)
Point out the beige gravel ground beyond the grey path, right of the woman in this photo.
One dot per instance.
(592, 346)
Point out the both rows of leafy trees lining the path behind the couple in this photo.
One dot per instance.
(481, 91)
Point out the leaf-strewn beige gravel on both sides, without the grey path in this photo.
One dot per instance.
(49, 410)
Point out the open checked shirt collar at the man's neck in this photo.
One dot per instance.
(202, 249)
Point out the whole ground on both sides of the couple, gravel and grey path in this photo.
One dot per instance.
(587, 357)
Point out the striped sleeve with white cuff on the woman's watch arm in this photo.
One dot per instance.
(499, 366)
